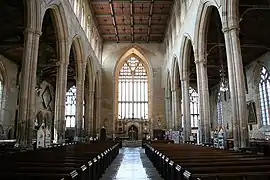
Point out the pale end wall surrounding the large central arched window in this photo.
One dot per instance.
(112, 52)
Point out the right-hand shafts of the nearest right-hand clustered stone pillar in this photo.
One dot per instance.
(240, 86)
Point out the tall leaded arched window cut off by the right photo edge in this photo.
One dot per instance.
(264, 89)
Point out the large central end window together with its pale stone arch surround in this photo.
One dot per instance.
(134, 64)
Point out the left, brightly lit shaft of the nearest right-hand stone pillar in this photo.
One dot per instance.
(232, 86)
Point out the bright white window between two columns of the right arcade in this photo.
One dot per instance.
(194, 107)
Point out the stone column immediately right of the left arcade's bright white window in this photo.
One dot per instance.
(79, 102)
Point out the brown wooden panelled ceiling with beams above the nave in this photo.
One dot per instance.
(132, 20)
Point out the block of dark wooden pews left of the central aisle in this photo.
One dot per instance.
(80, 161)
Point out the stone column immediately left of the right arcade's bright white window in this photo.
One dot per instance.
(186, 108)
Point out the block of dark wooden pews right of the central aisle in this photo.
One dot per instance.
(195, 162)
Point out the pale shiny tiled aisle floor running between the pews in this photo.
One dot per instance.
(131, 164)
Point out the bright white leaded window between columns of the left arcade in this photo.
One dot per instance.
(71, 107)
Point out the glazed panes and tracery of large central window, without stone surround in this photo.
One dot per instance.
(133, 90)
